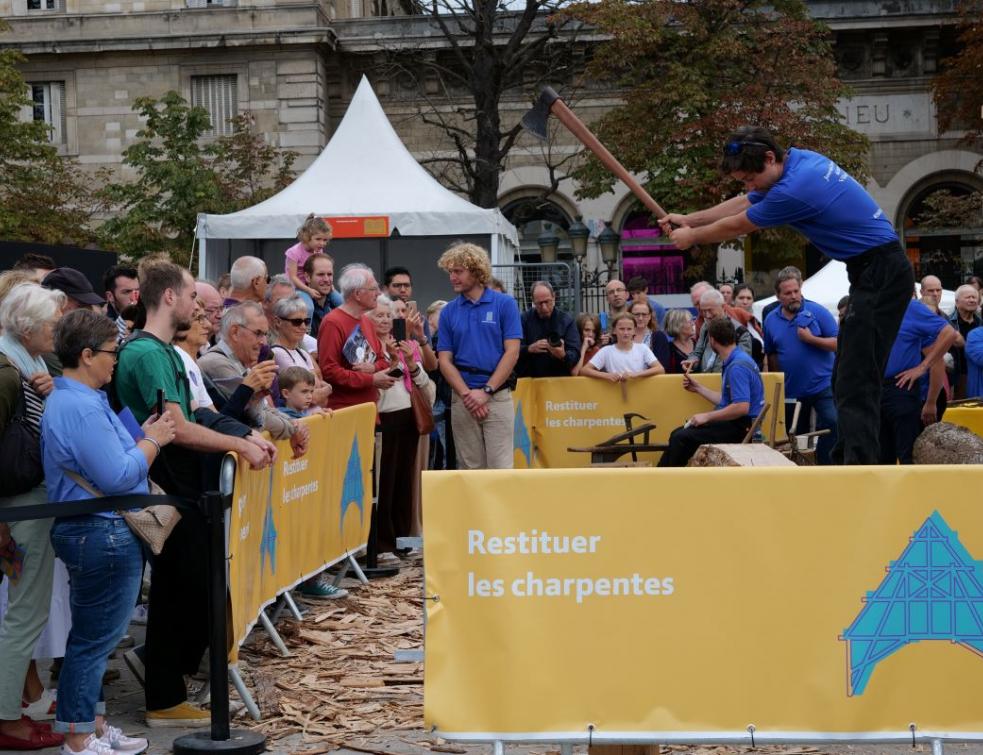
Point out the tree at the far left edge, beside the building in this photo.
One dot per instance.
(43, 196)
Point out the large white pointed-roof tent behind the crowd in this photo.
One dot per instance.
(364, 171)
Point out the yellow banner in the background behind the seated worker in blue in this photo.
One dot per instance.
(554, 414)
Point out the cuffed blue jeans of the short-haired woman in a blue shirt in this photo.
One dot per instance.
(104, 561)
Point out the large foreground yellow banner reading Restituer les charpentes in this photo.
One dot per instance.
(670, 602)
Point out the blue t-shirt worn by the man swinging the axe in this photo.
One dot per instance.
(823, 202)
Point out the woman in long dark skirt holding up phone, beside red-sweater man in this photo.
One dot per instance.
(398, 467)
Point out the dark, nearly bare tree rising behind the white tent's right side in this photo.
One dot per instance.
(495, 51)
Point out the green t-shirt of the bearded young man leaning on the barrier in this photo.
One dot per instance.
(146, 364)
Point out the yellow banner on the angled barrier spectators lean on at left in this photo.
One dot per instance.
(298, 516)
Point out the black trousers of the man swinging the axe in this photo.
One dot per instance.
(881, 285)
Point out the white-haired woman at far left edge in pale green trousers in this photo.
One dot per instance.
(28, 315)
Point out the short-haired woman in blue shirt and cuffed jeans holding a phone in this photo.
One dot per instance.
(103, 556)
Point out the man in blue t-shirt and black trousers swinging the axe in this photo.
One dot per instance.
(811, 193)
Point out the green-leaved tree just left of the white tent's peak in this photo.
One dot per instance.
(179, 175)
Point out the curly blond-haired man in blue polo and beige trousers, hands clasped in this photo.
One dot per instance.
(480, 332)
